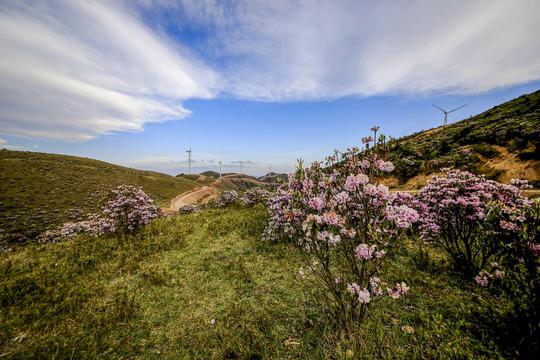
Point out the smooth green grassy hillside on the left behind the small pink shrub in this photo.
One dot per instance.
(39, 191)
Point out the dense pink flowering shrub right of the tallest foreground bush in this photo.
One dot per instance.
(452, 209)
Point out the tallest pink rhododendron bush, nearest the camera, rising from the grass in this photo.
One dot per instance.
(345, 225)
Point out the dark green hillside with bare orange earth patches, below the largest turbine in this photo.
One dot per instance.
(502, 143)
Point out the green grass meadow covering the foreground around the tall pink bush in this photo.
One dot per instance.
(154, 294)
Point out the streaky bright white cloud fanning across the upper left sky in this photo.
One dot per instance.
(76, 69)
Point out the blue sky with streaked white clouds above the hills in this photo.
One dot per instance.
(139, 82)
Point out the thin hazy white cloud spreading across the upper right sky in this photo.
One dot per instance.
(305, 50)
